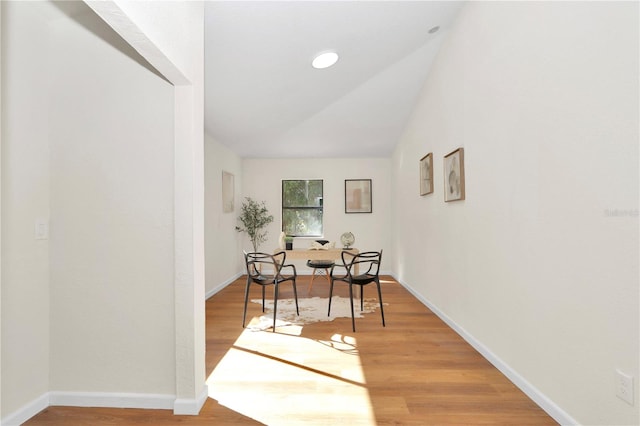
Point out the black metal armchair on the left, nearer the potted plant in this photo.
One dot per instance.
(273, 265)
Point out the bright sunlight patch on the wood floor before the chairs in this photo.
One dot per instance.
(285, 379)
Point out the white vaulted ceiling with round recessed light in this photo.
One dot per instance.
(263, 98)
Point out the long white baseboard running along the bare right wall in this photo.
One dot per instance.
(531, 391)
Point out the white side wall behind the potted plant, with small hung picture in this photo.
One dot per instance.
(222, 242)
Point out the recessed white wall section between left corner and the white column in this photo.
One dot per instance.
(111, 136)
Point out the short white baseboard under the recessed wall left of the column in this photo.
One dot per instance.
(112, 400)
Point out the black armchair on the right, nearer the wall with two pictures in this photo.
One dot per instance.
(367, 265)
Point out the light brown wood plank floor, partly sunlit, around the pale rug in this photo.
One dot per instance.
(414, 371)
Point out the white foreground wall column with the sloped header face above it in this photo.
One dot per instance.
(170, 36)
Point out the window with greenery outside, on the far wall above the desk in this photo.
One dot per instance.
(302, 208)
